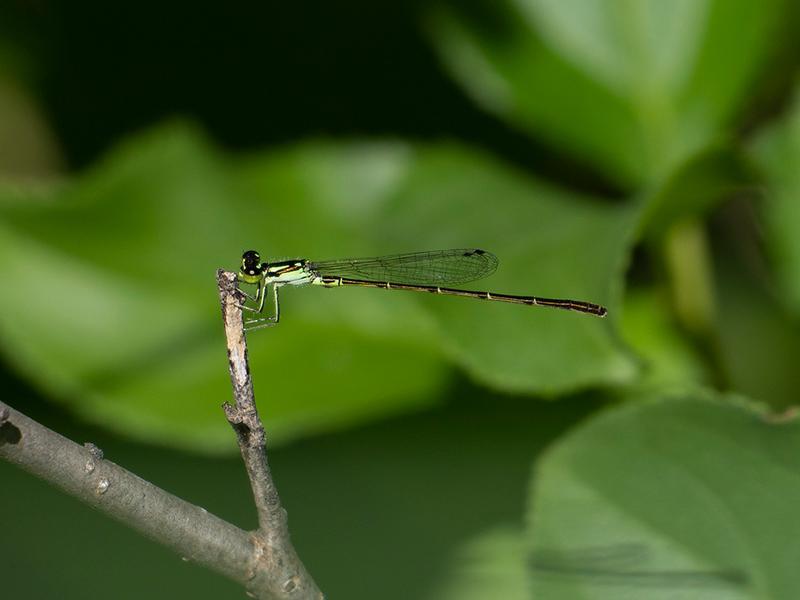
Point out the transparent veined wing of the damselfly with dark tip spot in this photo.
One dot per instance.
(438, 267)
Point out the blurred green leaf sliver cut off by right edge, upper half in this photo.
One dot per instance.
(777, 153)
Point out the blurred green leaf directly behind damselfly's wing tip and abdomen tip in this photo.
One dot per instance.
(550, 243)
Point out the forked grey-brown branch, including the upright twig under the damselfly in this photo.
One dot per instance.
(263, 560)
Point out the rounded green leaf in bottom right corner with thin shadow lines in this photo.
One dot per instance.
(692, 496)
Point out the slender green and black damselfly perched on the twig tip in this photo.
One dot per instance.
(417, 271)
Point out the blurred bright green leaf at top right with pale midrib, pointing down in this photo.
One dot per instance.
(634, 88)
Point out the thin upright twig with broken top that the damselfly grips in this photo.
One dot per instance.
(284, 574)
